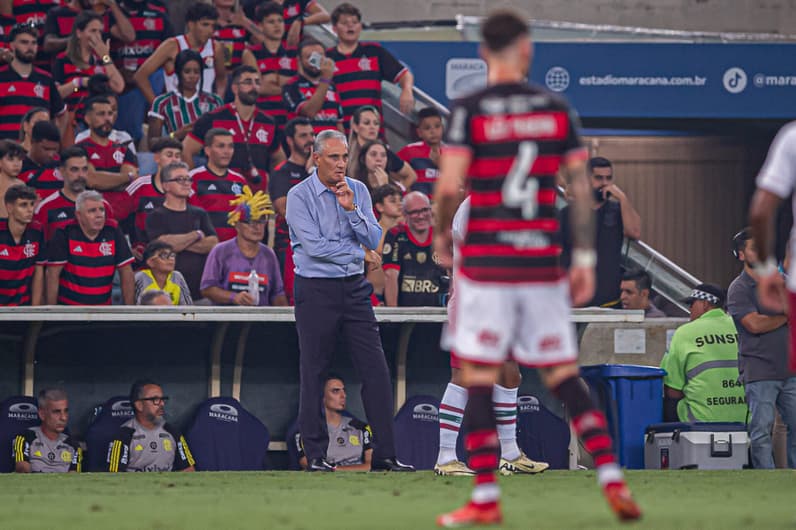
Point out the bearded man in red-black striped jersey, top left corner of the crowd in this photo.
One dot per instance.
(23, 87)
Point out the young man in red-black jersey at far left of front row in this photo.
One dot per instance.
(21, 250)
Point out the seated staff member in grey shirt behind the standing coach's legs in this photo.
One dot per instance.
(349, 439)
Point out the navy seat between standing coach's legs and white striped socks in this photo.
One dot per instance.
(417, 432)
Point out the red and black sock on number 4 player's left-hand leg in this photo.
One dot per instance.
(482, 445)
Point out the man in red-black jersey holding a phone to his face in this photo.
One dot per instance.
(312, 93)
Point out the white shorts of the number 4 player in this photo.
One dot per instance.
(528, 321)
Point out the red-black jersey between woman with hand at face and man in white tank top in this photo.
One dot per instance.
(152, 27)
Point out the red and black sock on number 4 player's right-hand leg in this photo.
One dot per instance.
(591, 427)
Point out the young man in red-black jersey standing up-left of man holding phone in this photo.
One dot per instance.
(276, 64)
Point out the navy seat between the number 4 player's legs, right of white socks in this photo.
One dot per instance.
(542, 435)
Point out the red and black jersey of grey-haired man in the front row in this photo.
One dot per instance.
(88, 264)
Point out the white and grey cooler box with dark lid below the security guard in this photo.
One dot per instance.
(696, 446)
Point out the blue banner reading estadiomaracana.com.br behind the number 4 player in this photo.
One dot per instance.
(629, 80)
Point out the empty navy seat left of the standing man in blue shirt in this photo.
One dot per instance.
(226, 437)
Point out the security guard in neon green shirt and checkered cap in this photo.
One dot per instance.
(702, 382)
